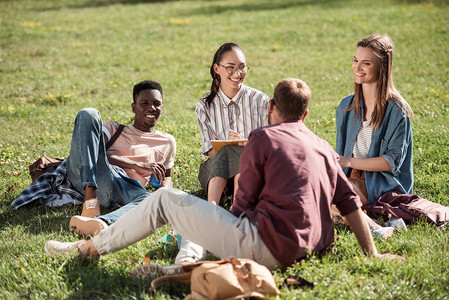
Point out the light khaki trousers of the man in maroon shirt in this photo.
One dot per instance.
(195, 219)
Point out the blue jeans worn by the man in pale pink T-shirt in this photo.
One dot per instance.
(89, 166)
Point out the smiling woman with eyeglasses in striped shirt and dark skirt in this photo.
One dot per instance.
(229, 112)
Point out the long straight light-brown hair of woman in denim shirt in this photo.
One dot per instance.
(382, 47)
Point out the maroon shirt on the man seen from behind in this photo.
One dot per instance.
(289, 178)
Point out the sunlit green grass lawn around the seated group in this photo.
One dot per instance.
(57, 57)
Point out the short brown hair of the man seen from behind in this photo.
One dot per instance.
(291, 97)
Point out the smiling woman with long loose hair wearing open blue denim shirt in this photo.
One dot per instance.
(374, 133)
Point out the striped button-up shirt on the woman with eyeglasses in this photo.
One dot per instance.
(246, 111)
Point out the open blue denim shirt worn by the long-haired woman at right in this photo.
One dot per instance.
(393, 140)
